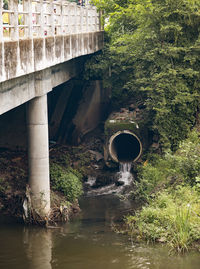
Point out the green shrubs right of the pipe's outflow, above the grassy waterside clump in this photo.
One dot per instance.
(183, 166)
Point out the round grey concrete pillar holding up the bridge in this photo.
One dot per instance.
(38, 149)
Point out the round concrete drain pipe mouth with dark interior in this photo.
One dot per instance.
(125, 146)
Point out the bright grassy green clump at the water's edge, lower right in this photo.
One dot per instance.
(172, 218)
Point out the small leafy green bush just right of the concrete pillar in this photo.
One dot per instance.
(66, 180)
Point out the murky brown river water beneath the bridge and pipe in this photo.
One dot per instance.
(85, 243)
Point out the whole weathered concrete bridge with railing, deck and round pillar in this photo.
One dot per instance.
(41, 44)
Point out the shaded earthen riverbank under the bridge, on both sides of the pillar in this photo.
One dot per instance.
(70, 167)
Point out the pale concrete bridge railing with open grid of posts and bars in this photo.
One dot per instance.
(22, 19)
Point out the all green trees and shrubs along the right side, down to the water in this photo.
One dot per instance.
(152, 55)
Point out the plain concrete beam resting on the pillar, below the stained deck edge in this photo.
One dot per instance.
(18, 91)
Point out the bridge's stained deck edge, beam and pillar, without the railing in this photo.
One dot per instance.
(30, 82)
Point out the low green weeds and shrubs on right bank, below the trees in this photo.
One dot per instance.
(171, 187)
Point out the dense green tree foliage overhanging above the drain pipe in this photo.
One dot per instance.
(152, 51)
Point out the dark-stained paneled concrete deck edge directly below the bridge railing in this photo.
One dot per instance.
(26, 56)
